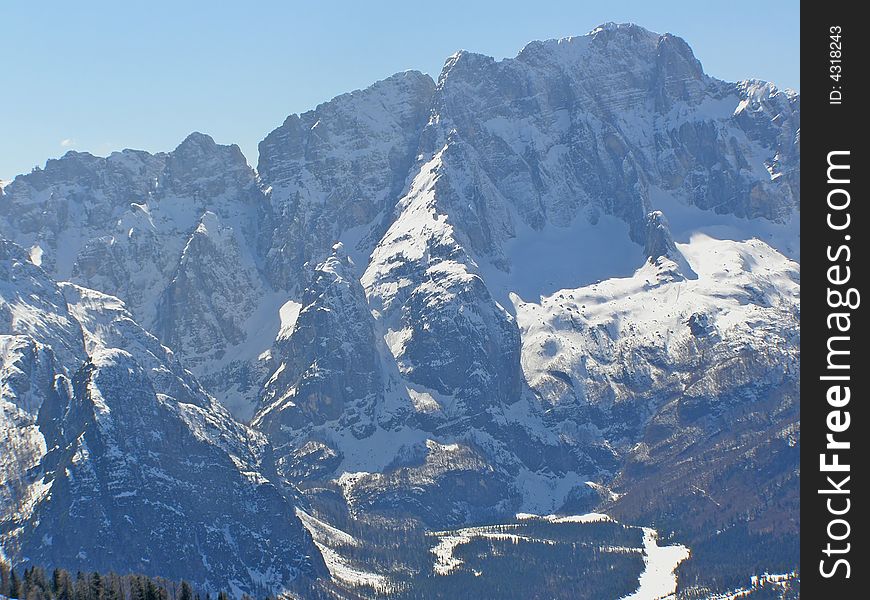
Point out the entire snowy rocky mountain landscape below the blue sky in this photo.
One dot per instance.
(529, 330)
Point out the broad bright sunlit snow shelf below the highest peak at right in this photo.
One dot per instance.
(744, 287)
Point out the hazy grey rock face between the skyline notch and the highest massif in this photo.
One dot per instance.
(339, 169)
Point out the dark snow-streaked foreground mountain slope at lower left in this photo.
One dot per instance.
(116, 459)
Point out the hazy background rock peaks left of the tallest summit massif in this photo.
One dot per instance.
(205, 253)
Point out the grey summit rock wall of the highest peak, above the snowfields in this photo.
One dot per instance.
(600, 120)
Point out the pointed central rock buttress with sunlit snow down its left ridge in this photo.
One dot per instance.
(442, 326)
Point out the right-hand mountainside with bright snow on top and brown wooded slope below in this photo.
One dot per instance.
(704, 376)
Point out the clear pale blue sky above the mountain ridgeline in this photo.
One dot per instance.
(100, 76)
